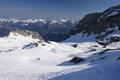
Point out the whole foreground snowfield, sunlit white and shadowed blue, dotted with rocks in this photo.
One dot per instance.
(50, 61)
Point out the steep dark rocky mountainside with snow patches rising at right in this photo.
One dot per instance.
(99, 24)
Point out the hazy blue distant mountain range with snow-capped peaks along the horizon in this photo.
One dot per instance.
(53, 30)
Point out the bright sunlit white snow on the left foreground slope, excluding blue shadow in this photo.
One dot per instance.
(18, 63)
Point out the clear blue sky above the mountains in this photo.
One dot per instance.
(52, 9)
